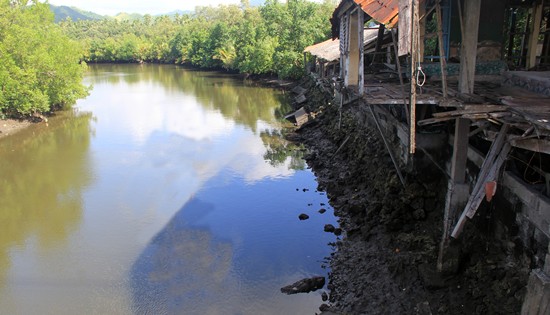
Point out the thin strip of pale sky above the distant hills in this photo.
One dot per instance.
(113, 7)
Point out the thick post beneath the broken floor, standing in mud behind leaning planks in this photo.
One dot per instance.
(457, 193)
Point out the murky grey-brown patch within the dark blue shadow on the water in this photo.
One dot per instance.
(181, 266)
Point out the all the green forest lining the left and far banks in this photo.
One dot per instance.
(42, 63)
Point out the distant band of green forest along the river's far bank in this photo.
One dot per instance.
(268, 39)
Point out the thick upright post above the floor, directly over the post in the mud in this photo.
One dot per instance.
(468, 53)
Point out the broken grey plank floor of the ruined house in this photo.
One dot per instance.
(495, 101)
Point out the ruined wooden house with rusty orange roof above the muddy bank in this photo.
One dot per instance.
(476, 66)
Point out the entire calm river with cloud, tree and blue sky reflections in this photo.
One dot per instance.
(166, 191)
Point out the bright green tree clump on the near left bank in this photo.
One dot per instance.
(40, 67)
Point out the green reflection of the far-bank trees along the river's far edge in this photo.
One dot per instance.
(242, 105)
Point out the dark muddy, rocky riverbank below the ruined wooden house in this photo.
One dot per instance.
(385, 262)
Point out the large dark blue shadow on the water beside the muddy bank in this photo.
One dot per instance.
(231, 248)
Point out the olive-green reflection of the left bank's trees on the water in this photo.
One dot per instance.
(46, 166)
